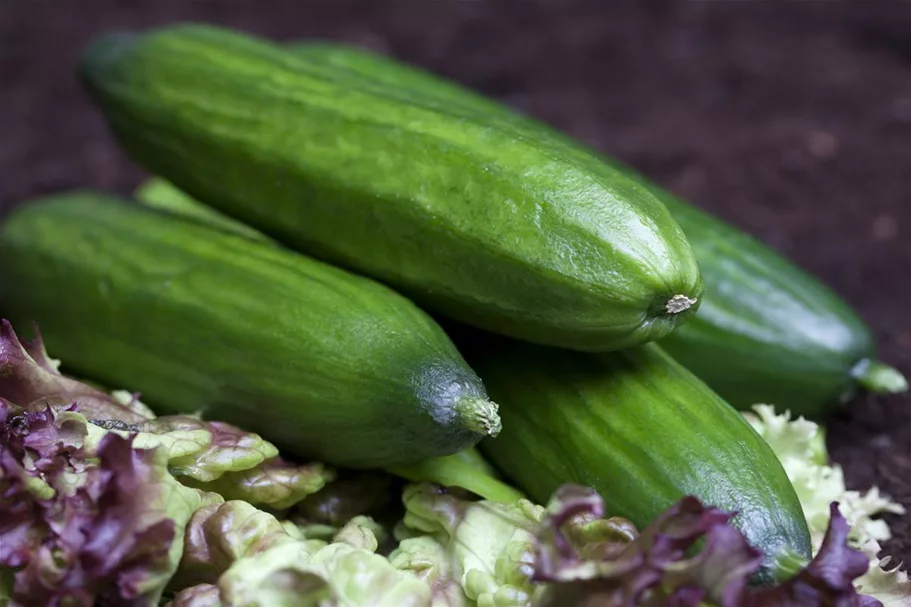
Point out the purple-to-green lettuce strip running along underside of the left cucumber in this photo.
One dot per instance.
(210, 455)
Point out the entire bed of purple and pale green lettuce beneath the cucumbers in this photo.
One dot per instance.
(102, 503)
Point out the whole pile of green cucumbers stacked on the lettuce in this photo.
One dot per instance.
(372, 267)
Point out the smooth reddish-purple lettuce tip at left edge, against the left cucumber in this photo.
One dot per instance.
(29, 378)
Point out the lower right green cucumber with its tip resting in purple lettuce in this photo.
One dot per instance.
(639, 428)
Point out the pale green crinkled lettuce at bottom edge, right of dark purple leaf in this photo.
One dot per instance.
(252, 558)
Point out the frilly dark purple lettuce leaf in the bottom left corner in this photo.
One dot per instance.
(102, 525)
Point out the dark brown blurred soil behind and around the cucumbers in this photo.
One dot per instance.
(792, 121)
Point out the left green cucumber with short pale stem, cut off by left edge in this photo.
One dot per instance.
(324, 363)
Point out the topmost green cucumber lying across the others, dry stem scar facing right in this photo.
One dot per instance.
(466, 216)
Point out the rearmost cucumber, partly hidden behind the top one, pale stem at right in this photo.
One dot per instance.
(766, 331)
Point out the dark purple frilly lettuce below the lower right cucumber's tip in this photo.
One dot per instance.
(657, 568)
